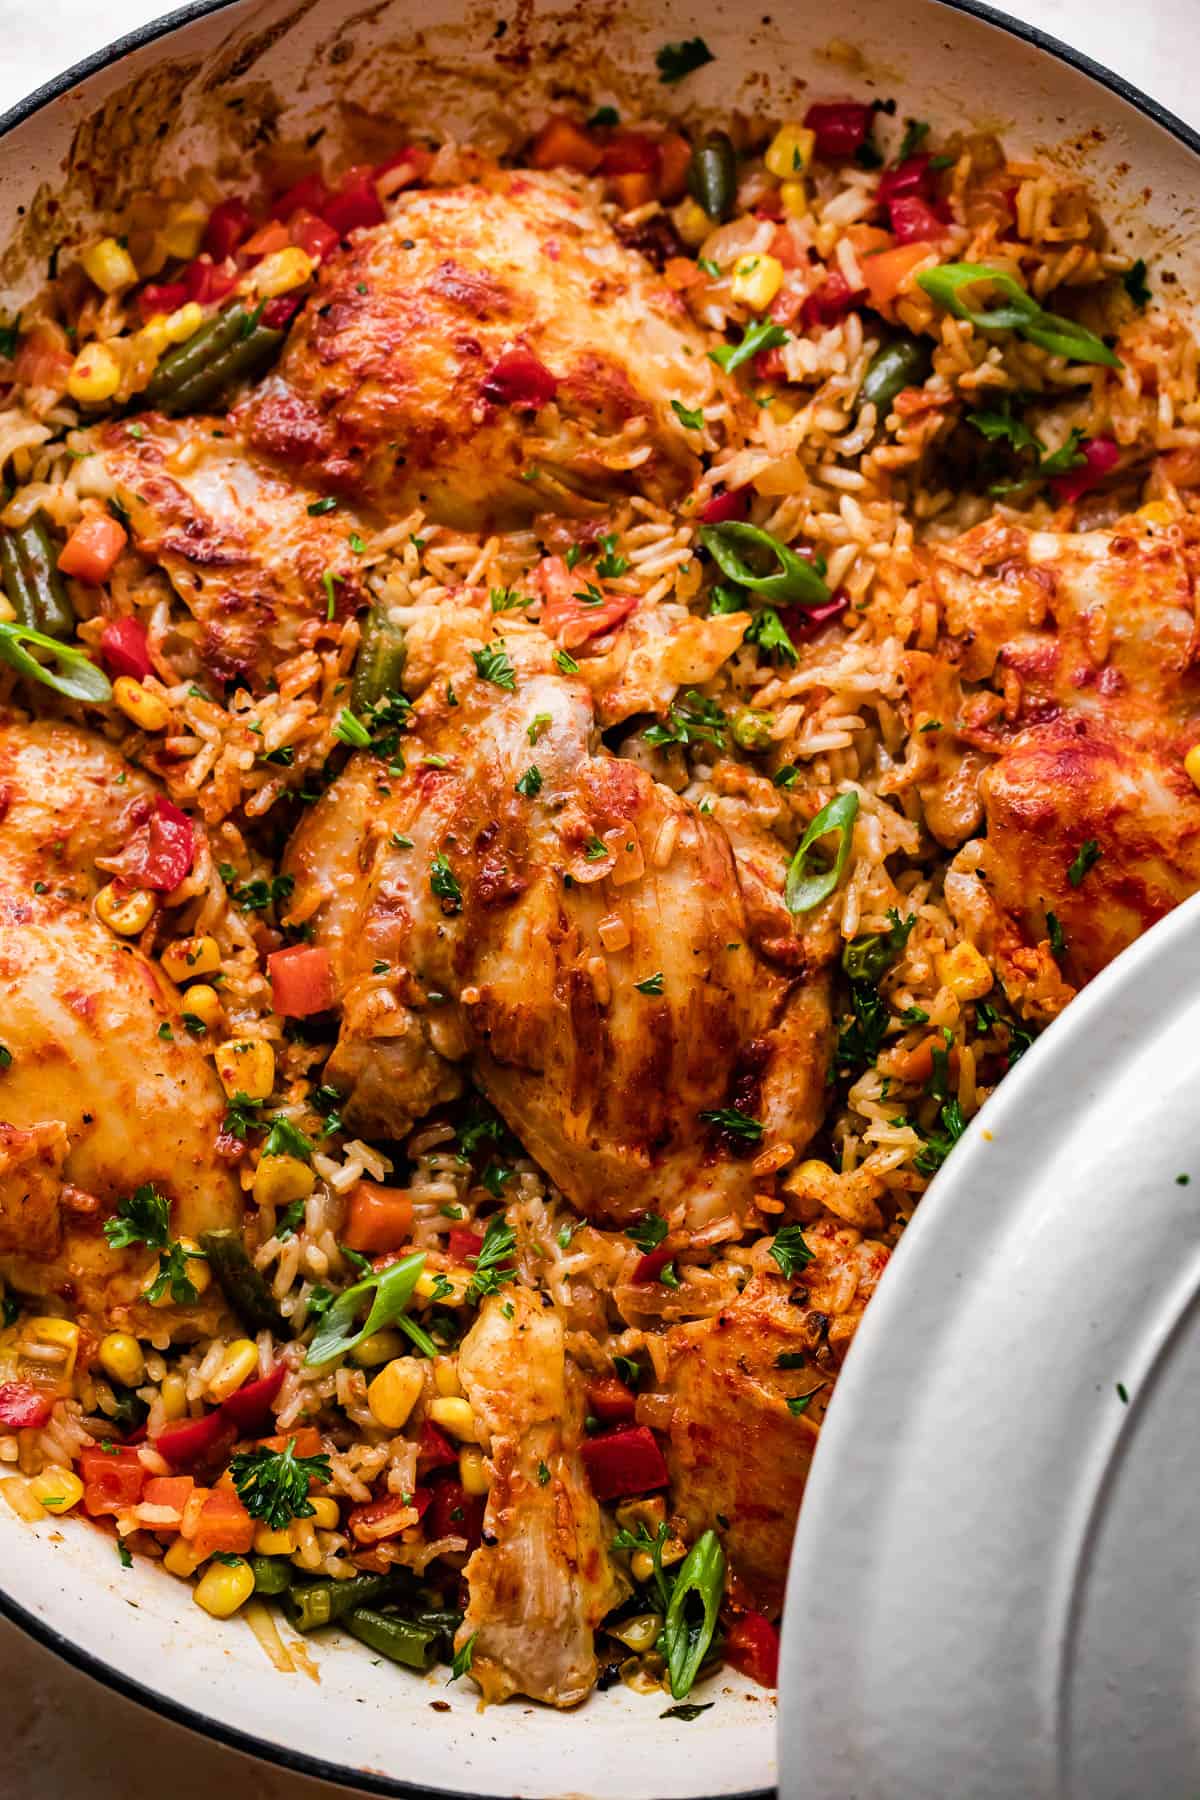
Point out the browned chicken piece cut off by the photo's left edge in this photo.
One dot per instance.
(94, 1102)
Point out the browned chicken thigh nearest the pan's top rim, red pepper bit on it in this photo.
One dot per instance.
(393, 388)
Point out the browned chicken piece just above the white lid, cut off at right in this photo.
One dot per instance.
(1068, 694)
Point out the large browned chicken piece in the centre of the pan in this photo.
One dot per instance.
(586, 942)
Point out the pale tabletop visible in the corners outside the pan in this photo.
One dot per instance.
(64, 1736)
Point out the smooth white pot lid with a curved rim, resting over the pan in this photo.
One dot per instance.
(996, 1585)
